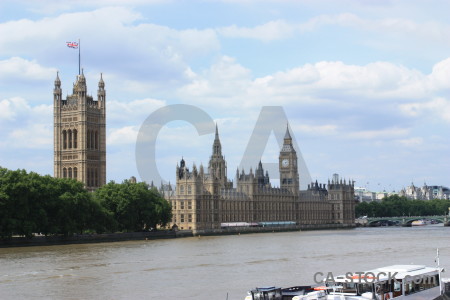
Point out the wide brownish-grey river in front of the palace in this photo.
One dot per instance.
(210, 267)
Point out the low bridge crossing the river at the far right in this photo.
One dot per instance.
(400, 221)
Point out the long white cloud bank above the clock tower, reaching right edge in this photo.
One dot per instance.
(320, 83)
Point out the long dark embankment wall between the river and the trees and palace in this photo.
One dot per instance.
(162, 234)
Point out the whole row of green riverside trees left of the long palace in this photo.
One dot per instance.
(34, 204)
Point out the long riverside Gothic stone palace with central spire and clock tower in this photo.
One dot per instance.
(203, 199)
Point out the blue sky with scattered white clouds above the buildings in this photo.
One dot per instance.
(364, 85)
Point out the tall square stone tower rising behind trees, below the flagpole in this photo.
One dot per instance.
(79, 134)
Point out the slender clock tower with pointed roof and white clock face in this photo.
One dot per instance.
(288, 166)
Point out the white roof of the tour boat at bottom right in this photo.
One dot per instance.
(383, 273)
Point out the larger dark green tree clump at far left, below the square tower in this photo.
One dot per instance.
(31, 203)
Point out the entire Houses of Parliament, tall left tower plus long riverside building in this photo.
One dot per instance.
(204, 198)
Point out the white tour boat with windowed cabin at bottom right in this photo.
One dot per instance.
(412, 282)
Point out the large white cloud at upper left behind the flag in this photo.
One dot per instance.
(141, 51)
